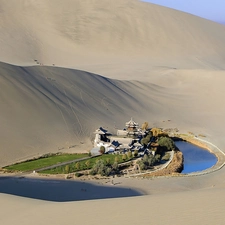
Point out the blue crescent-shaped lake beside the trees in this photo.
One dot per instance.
(195, 158)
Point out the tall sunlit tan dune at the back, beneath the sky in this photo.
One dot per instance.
(89, 34)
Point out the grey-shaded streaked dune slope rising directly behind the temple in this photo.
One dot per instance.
(47, 109)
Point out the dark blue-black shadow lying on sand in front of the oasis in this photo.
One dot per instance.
(61, 190)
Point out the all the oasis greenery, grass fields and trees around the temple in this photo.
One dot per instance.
(105, 164)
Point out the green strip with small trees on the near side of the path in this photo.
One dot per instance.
(87, 164)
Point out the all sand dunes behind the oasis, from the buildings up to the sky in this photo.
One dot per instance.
(46, 109)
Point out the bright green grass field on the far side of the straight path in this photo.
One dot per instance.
(43, 161)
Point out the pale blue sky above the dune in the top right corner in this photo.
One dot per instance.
(209, 9)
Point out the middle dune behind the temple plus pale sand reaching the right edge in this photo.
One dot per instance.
(49, 109)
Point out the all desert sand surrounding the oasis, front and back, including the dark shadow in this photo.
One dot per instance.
(69, 67)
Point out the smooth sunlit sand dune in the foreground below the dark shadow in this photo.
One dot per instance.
(181, 207)
